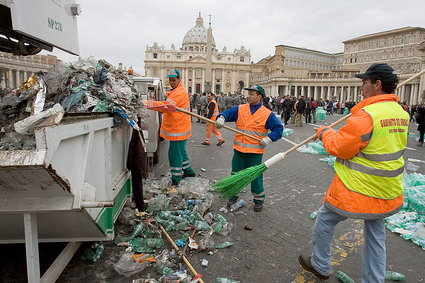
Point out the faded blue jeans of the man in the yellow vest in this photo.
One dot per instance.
(374, 253)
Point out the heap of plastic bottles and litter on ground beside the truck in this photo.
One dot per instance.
(181, 215)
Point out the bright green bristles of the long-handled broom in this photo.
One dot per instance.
(233, 184)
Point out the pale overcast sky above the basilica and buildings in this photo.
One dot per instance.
(119, 31)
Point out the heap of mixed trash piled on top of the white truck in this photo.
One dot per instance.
(87, 85)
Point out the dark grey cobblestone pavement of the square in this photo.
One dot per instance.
(268, 252)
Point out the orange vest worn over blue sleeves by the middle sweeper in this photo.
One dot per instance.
(253, 124)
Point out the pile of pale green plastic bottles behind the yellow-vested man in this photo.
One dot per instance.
(410, 221)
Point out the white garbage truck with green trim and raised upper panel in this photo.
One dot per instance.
(73, 185)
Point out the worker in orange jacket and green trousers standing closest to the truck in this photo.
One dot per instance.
(176, 127)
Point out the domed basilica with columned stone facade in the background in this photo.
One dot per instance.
(218, 71)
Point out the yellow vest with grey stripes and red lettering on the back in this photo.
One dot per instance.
(377, 170)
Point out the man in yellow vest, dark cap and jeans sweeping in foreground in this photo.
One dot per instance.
(368, 180)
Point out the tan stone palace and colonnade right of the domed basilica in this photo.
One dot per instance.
(299, 71)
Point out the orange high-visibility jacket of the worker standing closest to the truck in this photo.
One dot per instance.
(176, 126)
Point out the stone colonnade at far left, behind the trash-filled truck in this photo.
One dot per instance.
(14, 70)
